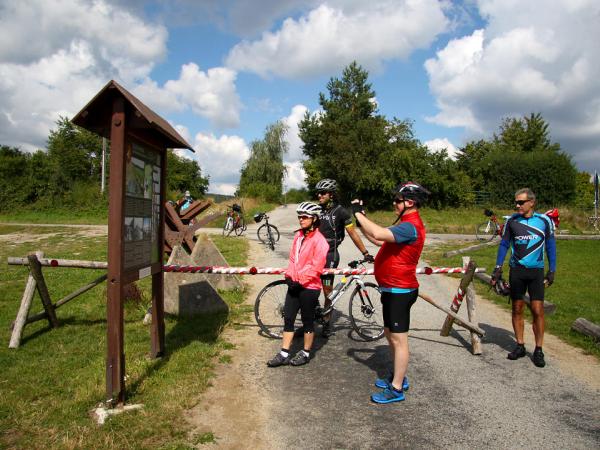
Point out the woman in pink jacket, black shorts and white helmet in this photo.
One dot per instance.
(303, 277)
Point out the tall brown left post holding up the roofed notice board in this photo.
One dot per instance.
(115, 358)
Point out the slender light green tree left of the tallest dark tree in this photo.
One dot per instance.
(262, 174)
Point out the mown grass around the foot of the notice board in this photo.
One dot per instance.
(57, 375)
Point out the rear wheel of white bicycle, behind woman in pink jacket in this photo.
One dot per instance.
(268, 309)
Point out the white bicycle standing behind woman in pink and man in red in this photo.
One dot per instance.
(365, 309)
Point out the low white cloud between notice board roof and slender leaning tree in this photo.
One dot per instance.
(221, 158)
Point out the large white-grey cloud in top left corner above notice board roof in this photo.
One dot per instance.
(55, 55)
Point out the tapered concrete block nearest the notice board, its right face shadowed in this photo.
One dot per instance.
(189, 294)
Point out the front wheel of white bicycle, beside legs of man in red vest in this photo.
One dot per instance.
(366, 312)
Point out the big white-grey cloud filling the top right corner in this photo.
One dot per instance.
(537, 56)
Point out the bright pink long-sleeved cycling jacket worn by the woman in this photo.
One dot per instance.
(307, 259)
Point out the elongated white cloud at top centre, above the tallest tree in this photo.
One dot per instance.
(330, 37)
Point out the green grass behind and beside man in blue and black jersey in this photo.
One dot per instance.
(576, 291)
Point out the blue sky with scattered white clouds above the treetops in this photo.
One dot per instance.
(221, 71)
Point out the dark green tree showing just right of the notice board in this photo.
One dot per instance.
(185, 174)
